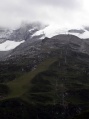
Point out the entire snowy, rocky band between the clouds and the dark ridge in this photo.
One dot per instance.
(29, 32)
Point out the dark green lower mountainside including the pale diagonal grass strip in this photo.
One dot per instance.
(57, 89)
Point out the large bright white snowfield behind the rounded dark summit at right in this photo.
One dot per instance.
(53, 30)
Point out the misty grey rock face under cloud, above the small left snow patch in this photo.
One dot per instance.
(23, 32)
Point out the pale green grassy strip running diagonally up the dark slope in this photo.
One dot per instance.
(20, 85)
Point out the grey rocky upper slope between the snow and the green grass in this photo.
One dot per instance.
(28, 55)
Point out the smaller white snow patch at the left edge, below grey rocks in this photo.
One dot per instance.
(9, 45)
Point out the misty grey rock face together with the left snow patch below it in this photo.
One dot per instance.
(10, 39)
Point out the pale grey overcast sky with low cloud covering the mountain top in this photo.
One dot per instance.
(65, 13)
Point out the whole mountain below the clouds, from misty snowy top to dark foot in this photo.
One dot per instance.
(45, 77)
